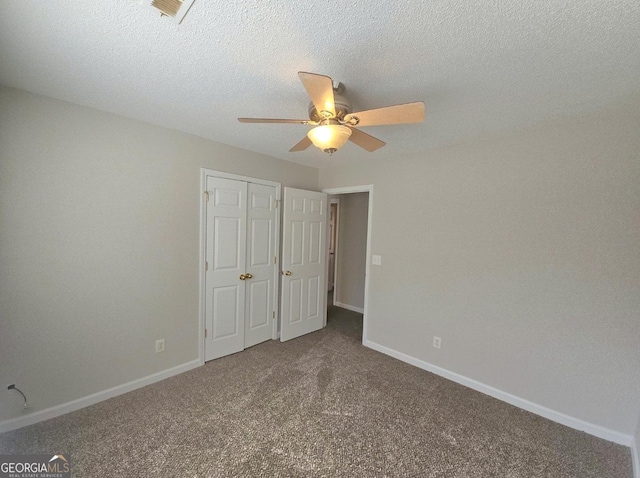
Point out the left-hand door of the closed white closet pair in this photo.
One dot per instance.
(225, 266)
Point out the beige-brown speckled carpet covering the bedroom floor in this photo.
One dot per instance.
(318, 406)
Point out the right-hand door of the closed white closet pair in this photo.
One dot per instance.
(261, 263)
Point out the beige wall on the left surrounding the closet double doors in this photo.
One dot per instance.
(99, 243)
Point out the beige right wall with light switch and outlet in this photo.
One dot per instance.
(523, 253)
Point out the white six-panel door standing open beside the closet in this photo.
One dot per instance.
(303, 262)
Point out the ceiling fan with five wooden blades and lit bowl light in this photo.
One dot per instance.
(335, 123)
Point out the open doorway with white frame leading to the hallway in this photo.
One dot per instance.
(348, 250)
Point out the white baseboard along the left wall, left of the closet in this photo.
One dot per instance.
(94, 398)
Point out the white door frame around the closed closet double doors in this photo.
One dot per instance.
(204, 173)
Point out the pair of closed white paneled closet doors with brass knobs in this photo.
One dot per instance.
(241, 270)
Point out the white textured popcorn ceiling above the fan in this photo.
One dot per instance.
(480, 66)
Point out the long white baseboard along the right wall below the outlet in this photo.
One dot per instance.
(590, 428)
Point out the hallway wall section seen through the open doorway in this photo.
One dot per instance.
(352, 249)
